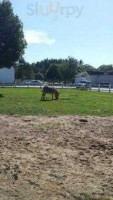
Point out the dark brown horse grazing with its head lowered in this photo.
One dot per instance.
(50, 90)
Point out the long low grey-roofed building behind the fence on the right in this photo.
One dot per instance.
(95, 78)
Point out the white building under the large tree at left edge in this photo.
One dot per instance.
(7, 75)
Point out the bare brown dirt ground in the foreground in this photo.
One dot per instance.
(56, 158)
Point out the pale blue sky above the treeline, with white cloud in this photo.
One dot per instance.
(60, 28)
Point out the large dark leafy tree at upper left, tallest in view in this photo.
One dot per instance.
(12, 42)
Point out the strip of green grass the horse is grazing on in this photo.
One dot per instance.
(72, 102)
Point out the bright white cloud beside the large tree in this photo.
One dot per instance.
(38, 37)
